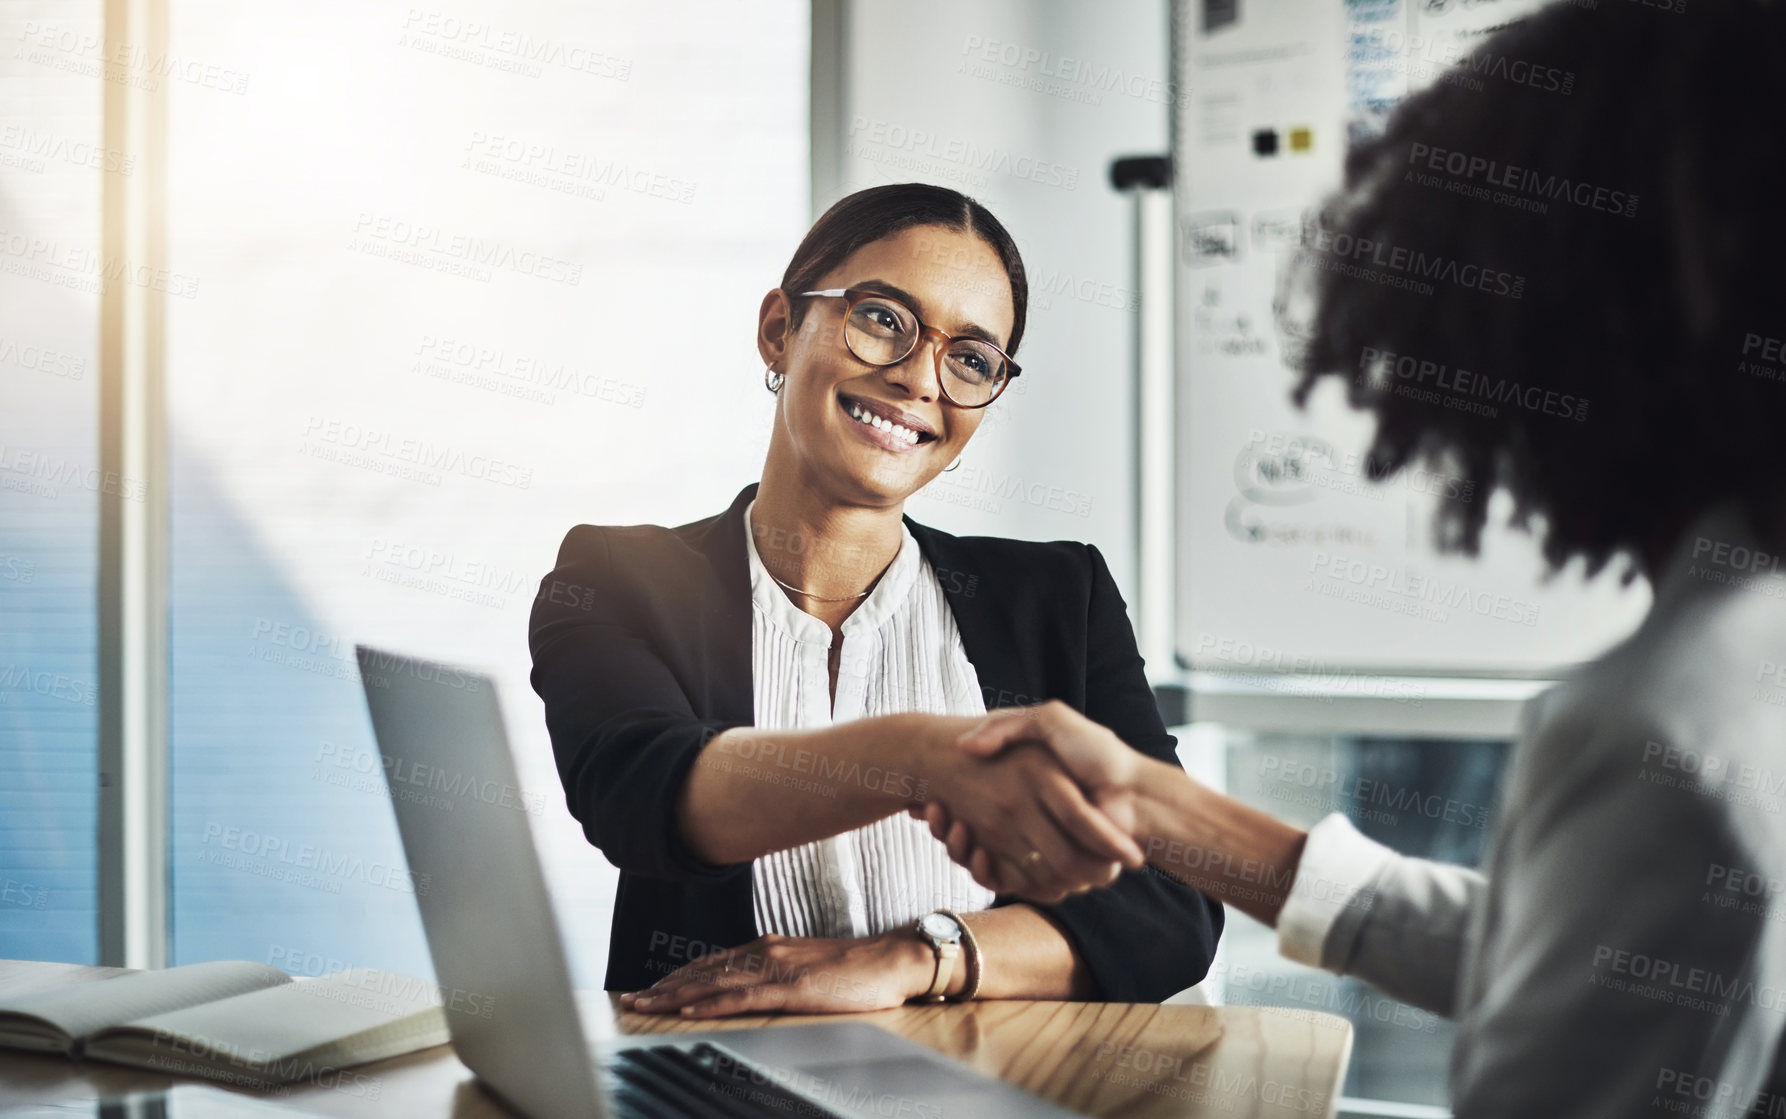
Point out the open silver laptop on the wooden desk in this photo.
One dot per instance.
(506, 986)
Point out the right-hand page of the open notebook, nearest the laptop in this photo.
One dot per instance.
(310, 1016)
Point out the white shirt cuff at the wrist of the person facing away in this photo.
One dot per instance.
(1337, 874)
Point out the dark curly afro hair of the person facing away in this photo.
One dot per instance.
(1624, 165)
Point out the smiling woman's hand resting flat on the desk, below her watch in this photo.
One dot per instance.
(796, 975)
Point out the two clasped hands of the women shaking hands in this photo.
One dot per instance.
(1042, 802)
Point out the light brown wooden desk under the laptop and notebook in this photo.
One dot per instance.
(1137, 1061)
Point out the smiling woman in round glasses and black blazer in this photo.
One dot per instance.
(747, 709)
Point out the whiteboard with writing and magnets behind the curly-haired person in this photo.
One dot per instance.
(1289, 558)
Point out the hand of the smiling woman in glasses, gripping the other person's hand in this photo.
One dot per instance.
(1028, 815)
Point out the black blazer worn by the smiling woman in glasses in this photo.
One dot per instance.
(642, 654)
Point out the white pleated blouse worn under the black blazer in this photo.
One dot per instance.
(901, 654)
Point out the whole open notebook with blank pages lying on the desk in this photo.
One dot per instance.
(231, 1020)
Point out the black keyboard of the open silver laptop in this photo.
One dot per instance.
(672, 1082)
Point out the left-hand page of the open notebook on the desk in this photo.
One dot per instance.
(88, 1006)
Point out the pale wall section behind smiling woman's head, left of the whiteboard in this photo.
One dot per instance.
(1024, 104)
